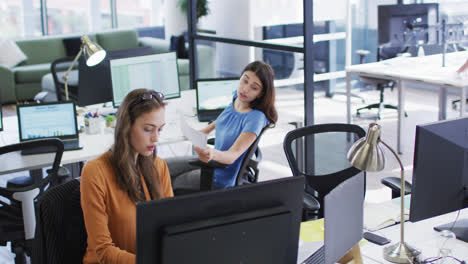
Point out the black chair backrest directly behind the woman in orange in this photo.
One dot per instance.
(60, 231)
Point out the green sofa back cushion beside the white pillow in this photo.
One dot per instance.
(42, 50)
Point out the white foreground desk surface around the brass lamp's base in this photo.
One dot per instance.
(420, 235)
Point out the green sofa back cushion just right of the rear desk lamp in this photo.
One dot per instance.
(116, 40)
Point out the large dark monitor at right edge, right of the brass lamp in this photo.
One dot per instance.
(440, 173)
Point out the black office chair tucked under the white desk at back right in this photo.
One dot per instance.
(380, 84)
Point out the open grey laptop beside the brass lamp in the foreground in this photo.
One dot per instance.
(343, 214)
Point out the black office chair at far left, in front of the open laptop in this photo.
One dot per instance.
(17, 207)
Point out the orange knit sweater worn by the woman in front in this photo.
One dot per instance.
(109, 214)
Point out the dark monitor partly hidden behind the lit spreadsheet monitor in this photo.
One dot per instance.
(94, 84)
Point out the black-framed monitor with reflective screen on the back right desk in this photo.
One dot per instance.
(407, 25)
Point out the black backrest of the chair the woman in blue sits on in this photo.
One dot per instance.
(248, 172)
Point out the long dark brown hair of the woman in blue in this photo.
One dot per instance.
(266, 101)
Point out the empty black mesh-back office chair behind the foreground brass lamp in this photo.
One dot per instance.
(327, 167)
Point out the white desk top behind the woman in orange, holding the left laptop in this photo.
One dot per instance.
(93, 145)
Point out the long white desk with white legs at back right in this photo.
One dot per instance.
(403, 70)
